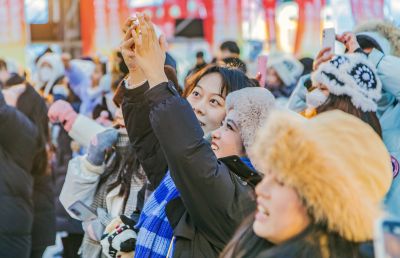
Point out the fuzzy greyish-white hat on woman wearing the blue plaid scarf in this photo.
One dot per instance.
(249, 108)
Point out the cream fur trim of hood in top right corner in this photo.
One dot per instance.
(387, 30)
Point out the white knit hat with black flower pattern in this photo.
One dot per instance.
(351, 75)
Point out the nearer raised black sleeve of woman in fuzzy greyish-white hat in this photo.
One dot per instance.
(205, 184)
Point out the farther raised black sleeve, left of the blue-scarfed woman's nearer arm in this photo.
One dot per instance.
(136, 112)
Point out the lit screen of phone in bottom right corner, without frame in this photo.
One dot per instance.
(391, 239)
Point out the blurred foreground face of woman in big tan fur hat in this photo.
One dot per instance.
(281, 214)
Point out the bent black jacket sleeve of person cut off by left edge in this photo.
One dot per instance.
(18, 135)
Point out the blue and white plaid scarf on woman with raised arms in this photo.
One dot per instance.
(155, 232)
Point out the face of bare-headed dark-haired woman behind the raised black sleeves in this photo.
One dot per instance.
(207, 102)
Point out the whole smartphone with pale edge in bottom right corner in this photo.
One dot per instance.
(387, 238)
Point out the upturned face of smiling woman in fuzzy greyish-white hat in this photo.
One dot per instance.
(226, 140)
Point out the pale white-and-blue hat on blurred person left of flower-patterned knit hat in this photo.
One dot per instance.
(288, 68)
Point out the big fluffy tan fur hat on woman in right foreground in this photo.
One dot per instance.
(337, 164)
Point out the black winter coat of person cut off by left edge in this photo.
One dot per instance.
(18, 145)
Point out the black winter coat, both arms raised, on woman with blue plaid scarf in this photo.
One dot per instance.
(214, 201)
